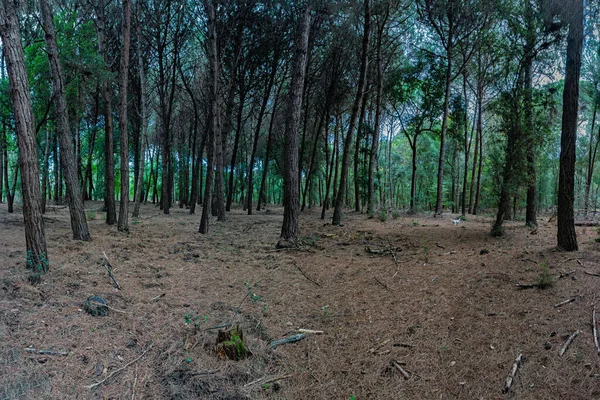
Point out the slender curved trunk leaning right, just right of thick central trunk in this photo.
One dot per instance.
(337, 213)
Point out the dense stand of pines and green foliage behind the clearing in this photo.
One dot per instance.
(374, 105)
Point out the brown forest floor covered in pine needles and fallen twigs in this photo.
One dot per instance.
(451, 317)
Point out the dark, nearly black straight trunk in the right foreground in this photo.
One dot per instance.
(567, 238)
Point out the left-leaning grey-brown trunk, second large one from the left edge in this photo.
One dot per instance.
(67, 157)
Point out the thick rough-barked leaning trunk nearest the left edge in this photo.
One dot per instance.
(35, 238)
